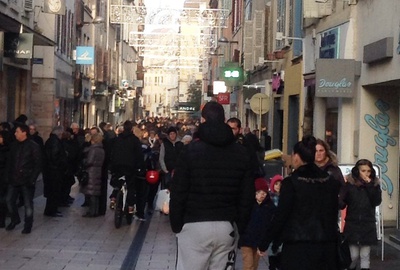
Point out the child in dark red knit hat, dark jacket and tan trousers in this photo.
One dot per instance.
(261, 215)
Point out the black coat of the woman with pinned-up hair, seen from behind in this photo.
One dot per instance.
(307, 209)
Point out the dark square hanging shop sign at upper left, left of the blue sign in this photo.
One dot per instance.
(18, 45)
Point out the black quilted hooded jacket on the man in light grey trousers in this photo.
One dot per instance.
(212, 180)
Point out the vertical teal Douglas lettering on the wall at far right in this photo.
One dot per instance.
(380, 123)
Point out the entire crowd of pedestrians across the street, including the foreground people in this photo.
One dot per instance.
(220, 199)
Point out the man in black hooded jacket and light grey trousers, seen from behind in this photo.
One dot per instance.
(212, 192)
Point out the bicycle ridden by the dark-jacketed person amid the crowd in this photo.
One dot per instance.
(121, 208)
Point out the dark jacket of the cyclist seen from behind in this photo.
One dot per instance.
(126, 154)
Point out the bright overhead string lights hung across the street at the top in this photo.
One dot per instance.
(182, 34)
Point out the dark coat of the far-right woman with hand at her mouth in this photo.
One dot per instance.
(361, 199)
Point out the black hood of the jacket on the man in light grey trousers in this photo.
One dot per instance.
(219, 134)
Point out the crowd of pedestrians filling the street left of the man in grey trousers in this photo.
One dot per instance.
(130, 149)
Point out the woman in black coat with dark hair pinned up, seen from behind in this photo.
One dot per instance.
(306, 217)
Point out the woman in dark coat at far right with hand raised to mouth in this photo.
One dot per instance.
(361, 194)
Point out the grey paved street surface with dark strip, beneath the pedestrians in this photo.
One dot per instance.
(72, 242)
